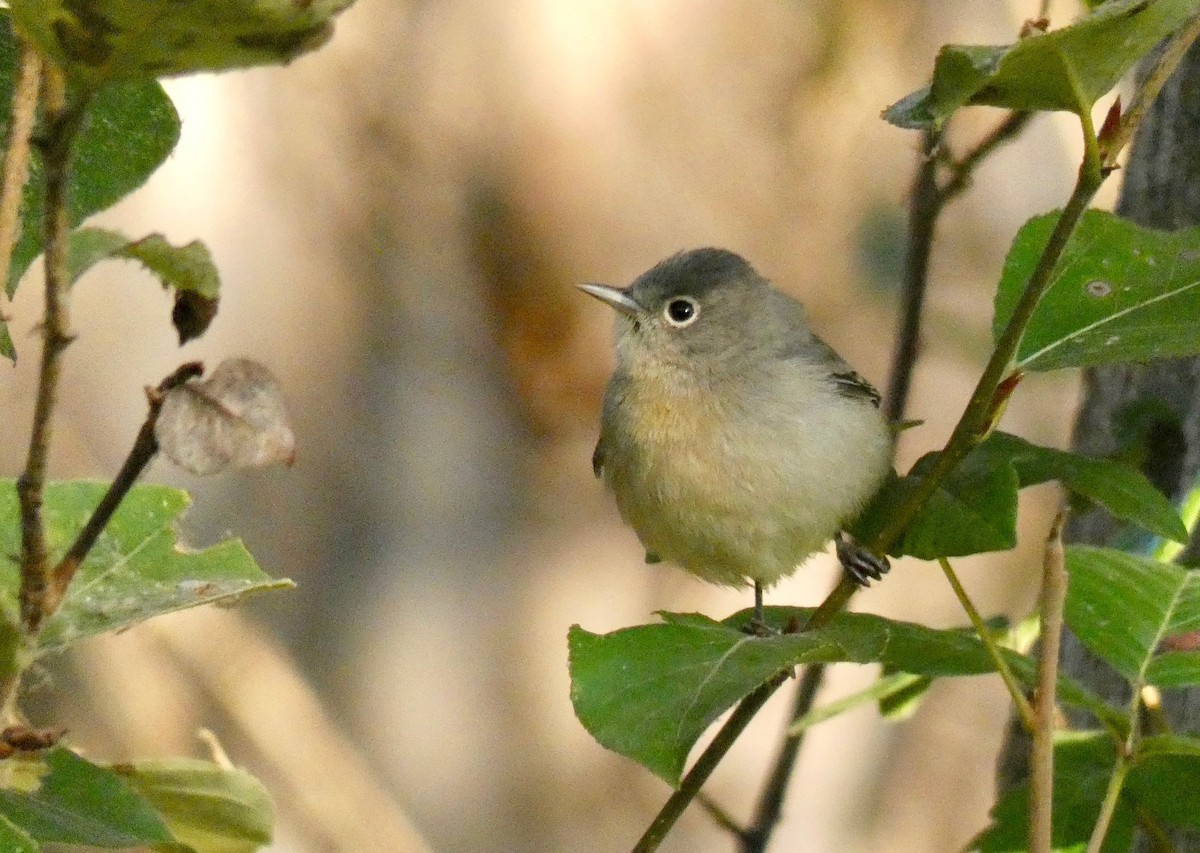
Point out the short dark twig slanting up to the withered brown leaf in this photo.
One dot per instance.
(145, 448)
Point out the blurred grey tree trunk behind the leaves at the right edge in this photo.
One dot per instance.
(1161, 190)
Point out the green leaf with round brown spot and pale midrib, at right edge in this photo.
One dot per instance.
(1120, 293)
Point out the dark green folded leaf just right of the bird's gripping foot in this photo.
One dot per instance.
(975, 509)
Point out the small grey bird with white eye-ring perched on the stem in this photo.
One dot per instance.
(736, 442)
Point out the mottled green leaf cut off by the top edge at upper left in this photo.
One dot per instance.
(116, 40)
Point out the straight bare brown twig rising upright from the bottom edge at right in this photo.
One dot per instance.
(1054, 597)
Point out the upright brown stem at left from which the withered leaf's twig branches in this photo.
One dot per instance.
(56, 338)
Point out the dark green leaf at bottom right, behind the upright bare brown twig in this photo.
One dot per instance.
(1083, 764)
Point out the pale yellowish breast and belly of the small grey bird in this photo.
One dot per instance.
(734, 500)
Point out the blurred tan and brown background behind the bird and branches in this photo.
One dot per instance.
(400, 221)
